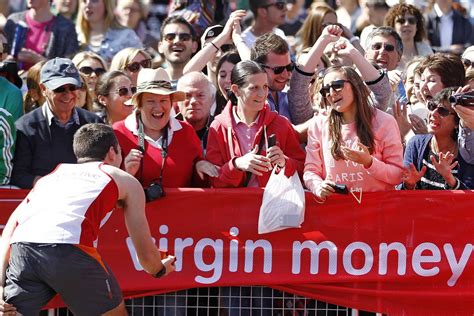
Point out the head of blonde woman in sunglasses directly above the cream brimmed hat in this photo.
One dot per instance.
(131, 60)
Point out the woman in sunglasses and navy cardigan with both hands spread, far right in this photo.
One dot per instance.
(432, 160)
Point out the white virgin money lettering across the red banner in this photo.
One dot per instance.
(209, 254)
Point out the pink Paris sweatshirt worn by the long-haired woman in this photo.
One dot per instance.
(383, 174)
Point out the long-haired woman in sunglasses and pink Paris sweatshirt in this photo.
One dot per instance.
(355, 144)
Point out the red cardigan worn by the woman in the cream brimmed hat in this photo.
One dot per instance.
(183, 153)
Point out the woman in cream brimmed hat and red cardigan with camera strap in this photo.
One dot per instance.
(157, 148)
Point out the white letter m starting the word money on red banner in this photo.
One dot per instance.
(315, 249)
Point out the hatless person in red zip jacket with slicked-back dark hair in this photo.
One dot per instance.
(238, 137)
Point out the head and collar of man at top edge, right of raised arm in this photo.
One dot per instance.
(268, 14)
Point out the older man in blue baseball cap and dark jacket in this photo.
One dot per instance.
(44, 136)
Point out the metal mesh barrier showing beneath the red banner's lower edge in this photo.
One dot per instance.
(227, 301)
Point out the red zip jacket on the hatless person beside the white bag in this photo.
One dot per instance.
(218, 151)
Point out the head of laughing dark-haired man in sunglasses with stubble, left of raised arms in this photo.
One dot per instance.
(178, 43)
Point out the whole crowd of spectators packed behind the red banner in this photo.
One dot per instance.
(195, 92)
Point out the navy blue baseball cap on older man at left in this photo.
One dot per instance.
(58, 72)
